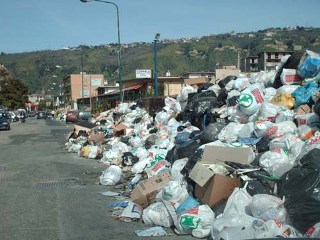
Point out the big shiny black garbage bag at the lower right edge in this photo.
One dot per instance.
(300, 187)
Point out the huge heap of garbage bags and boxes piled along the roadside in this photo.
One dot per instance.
(239, 159)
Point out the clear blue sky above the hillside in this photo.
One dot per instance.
(31, 25)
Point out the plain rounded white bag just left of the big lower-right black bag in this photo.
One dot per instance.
(268, 207)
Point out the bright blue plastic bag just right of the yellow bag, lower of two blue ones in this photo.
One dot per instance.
(303, 94)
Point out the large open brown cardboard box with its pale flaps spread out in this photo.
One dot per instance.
(211, 188)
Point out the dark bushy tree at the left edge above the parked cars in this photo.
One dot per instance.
(13, 94)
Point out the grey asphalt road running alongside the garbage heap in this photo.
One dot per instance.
(47, 193)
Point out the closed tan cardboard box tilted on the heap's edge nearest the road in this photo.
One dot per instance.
(145, 192)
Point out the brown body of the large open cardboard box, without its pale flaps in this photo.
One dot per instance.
(217, 190)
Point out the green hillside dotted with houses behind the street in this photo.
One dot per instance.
(43, 70)
